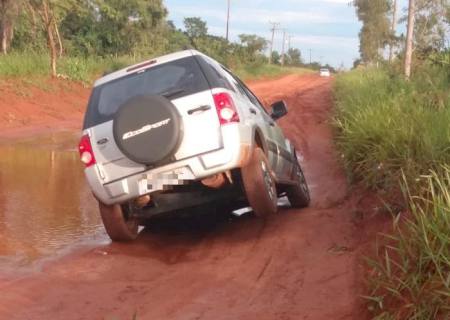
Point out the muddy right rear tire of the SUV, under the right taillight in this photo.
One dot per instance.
(259, 184)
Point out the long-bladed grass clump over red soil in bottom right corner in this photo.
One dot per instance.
(410, 277)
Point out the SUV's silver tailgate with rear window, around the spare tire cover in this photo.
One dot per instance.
(180, 81)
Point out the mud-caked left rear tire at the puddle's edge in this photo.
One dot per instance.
(118, 224)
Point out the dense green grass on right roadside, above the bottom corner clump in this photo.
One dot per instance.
(386, 126)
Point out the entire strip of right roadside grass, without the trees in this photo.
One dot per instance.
(394, 135)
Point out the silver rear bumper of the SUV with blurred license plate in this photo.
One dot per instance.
(234, 154)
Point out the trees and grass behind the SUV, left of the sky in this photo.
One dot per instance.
(81, 39)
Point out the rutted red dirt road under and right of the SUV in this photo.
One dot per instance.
(299, 264)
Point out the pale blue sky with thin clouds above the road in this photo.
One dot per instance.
(329, 28)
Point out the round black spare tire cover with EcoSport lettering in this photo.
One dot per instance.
(148, 129)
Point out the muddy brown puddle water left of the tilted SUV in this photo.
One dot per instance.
(45, 204)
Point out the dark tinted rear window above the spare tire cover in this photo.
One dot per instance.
(174, 79)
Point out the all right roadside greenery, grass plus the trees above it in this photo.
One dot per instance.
(393, 132)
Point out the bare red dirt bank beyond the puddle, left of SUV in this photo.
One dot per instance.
(37, 106)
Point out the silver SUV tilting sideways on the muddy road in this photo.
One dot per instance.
(179, 132)
